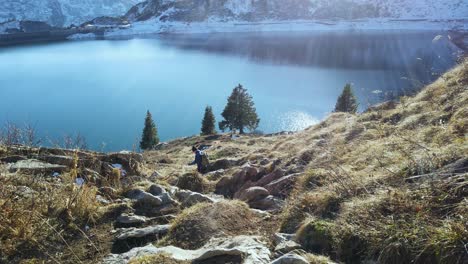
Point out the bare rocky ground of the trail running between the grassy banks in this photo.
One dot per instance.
(145, 213)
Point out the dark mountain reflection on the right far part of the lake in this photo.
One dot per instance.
(415, 58)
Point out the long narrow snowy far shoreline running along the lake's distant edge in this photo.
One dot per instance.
(458, 27)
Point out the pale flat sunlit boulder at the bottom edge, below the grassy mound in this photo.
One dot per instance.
(239, 249)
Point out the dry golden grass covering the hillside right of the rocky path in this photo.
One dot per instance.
(357, 180)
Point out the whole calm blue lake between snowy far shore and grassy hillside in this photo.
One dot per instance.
(103, 88)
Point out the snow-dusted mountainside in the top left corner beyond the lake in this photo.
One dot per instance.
(62, 12)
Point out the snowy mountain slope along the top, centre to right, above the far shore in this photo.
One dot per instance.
(258, 10)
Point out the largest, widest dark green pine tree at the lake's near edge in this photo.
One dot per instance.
(240, 112)
